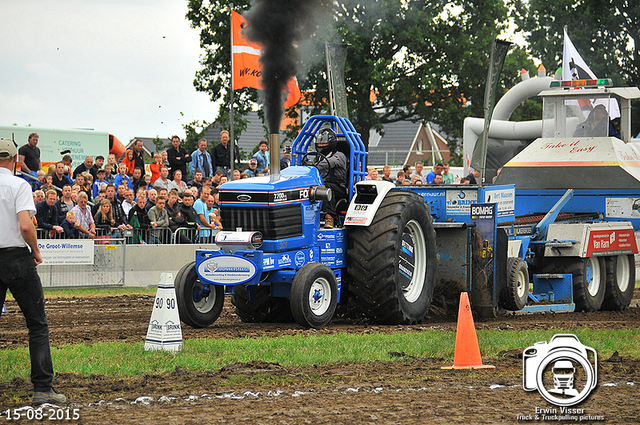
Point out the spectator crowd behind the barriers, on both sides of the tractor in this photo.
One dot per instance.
(172, 200)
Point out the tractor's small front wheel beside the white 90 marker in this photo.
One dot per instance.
(195, 309)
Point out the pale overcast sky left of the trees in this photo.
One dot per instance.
(121, 66)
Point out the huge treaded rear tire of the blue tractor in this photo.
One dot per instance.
(392, 262)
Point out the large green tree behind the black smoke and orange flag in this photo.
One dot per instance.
(423, 60)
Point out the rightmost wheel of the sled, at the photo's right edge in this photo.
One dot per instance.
(621, 279)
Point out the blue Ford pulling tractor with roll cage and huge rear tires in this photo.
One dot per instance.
(278, 263)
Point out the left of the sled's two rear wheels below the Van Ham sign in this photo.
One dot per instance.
(588, 279)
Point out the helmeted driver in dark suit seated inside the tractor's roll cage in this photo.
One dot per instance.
(333, 171)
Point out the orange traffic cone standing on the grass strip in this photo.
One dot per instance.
(467, 354)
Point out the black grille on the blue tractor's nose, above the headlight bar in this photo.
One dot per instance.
(274, 223)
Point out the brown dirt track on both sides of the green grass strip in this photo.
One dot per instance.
(411, 391)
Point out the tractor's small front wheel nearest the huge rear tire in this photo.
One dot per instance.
(314, 295)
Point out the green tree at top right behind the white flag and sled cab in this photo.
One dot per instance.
(605, 33)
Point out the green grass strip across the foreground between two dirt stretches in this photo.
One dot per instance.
(119, 359)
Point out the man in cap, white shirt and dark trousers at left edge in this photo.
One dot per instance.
(18, 271)
